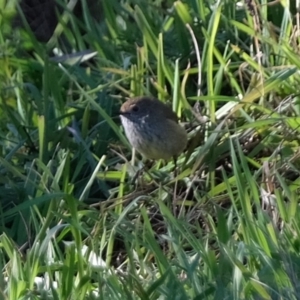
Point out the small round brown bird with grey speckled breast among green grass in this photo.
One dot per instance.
(152, 128)
